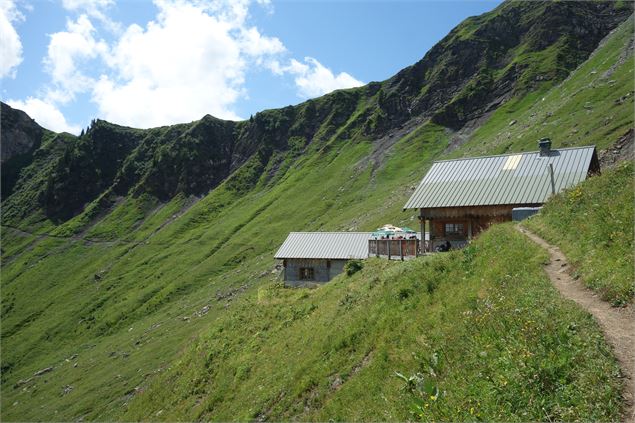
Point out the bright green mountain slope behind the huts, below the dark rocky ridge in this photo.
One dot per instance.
(149, 280)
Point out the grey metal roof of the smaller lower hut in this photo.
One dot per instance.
(325, 245)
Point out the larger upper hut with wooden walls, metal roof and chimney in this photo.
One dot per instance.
(460, 198)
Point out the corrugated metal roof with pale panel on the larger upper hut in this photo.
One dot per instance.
(519, 178)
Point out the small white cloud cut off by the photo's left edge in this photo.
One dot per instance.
(10, 44)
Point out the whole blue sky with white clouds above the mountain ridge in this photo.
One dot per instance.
(150, 63)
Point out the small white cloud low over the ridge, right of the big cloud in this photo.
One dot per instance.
(314, 79)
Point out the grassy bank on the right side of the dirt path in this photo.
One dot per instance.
(593, 223)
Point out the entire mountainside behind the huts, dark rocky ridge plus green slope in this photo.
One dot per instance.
(179, 222)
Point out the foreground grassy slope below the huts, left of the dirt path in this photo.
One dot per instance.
(508, 347)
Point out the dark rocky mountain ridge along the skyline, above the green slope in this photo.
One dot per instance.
(481, 70)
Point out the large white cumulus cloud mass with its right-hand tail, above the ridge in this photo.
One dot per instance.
(192, 59)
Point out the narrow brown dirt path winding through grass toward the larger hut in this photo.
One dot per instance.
(618, 324)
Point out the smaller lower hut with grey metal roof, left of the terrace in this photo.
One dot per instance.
(311, 258)
